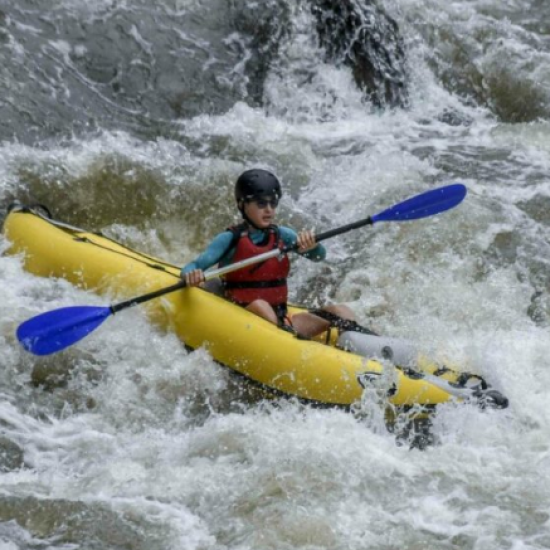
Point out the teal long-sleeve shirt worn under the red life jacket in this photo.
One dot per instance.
(220, 251)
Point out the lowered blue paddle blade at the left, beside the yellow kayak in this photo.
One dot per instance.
(56, 330)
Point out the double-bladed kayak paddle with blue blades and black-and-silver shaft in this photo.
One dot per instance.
(56, 330)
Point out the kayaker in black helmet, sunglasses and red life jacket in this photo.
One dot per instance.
(262, 288)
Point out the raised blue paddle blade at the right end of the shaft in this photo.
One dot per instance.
(424, 205)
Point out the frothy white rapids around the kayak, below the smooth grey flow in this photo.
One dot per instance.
(158, 445)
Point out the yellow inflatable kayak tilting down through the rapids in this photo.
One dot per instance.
(330, 371)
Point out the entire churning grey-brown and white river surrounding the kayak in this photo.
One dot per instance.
(135, 118)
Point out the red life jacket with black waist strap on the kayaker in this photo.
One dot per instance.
(266, 280)
